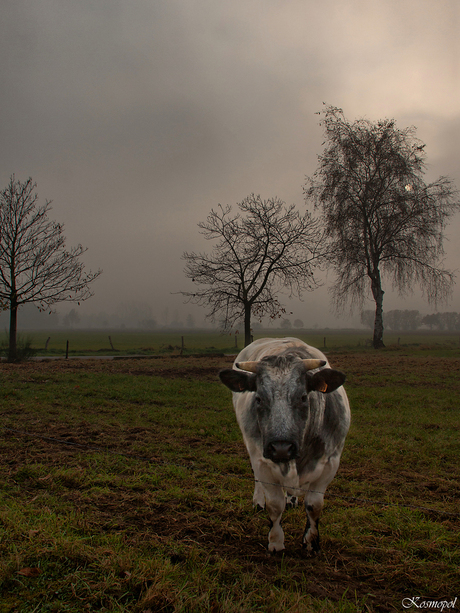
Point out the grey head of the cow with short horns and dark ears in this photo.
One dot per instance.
(280, 387)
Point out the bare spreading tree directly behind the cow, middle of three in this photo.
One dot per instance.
(260, 250)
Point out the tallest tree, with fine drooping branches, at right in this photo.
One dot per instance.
(381, 218)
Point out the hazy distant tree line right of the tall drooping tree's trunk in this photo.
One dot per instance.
(410, 320)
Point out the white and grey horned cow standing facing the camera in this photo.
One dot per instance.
(294, 416)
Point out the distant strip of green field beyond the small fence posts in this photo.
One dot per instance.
(126, 342)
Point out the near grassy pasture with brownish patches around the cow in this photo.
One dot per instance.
(125, 486)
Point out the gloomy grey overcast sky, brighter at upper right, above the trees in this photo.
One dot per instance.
(137, 117)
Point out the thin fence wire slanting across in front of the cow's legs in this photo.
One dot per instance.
(208, 470)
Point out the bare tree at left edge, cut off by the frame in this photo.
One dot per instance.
(35, 266)
